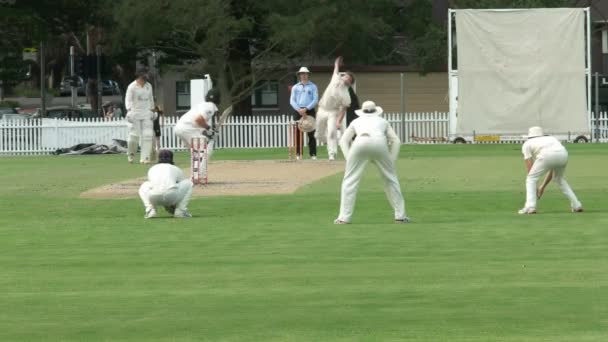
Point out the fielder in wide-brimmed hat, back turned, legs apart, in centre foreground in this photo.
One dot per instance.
(377, 142)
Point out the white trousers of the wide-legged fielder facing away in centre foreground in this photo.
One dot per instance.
(366, 149)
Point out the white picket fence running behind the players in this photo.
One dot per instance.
(43, 136)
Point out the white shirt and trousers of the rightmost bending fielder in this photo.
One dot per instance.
(548, 154)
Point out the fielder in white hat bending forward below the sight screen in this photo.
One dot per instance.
(544, 154)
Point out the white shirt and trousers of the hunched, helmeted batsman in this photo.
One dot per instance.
(186, 127)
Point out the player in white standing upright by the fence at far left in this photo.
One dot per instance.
(139, 101)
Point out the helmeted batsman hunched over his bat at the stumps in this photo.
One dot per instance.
(198, 121)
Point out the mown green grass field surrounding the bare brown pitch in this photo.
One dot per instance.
(275, 268)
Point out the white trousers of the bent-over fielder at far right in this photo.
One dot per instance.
(552, 160)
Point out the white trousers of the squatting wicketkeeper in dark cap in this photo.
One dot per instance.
(178, 196)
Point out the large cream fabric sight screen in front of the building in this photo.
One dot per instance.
(521, 68)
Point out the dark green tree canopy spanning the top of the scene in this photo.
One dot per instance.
(237, 41)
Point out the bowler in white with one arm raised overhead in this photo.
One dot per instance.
(332, 105)
